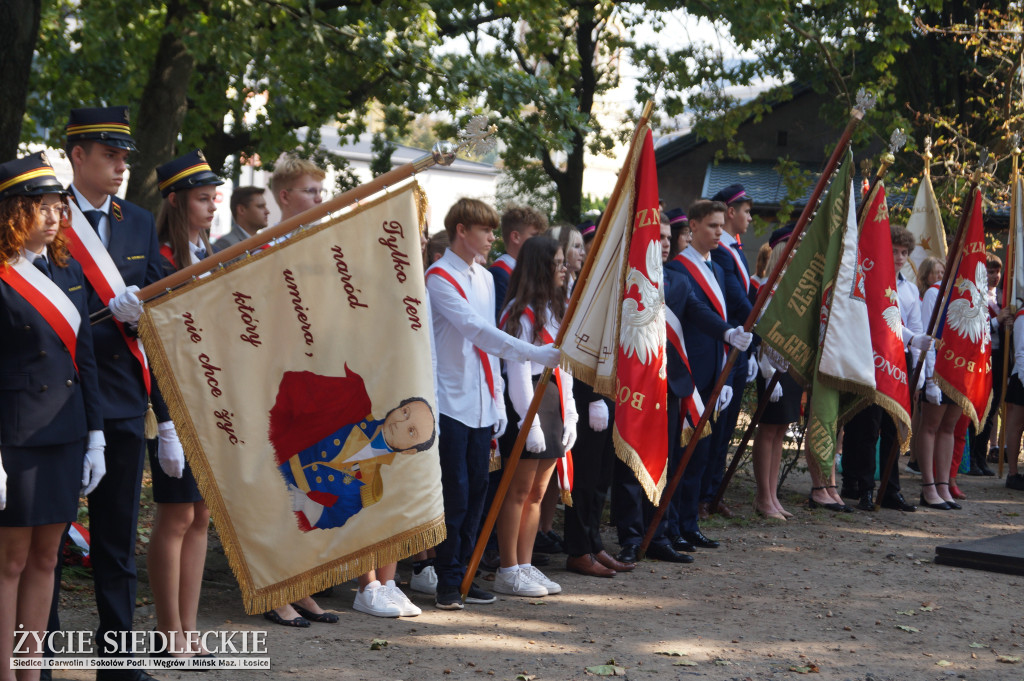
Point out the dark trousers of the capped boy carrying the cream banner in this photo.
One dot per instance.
(113, 529)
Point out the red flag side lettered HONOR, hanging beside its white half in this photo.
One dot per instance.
(879, 280)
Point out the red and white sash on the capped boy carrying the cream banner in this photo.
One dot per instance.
(103, 275)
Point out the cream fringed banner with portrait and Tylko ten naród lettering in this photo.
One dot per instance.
(302, 387)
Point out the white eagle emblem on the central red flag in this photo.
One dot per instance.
(643, 329)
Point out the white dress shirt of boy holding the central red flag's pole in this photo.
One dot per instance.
(459, 325)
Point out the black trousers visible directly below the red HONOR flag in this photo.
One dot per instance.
(868, 428)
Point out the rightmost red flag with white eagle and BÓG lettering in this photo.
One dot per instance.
(964, 347)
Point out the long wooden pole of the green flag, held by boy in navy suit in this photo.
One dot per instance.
(857, 115)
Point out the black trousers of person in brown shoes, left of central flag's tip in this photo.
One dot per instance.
(593, 458)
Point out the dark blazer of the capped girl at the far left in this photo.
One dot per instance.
(44, 401)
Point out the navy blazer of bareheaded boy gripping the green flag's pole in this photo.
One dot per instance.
(697, 319)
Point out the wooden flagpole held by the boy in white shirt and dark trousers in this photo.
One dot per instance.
(510, 464)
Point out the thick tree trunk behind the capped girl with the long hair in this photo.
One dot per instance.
(162, 111)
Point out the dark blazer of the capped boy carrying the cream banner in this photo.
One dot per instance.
(135, 249)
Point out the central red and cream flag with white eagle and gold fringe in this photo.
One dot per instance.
(616, 339)
